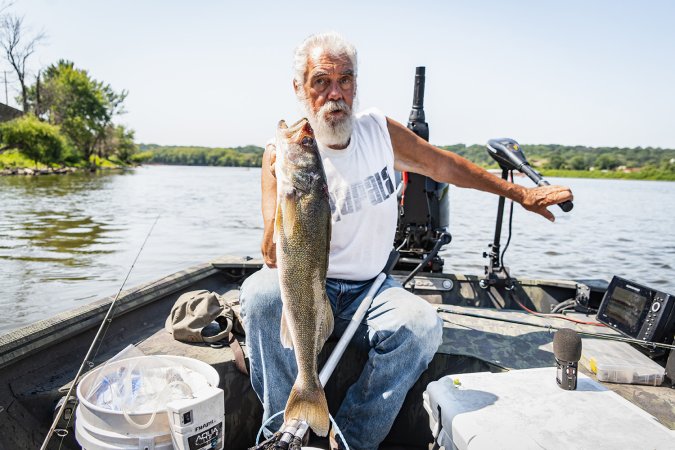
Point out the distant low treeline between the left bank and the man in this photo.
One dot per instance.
(248, 156)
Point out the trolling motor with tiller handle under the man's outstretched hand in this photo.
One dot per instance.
(510, 157)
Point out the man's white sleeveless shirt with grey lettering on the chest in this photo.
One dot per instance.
(362, 198)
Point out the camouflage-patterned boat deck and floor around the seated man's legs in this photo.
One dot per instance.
(470, 344)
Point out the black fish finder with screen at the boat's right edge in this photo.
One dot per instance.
(638, 311)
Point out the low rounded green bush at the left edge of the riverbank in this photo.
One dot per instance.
(37, 140)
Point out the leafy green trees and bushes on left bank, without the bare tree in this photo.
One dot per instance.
(69, 121)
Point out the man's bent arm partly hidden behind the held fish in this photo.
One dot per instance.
(269, 205)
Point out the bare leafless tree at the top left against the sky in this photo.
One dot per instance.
(18, 47)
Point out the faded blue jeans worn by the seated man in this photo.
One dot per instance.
(402, 331)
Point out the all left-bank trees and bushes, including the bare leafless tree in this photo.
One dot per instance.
(67, 114)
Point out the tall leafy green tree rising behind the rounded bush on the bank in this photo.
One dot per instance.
(82, 106)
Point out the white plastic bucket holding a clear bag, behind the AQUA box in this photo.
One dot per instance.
(99, 428)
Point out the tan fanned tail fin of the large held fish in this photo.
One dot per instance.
(308, 403)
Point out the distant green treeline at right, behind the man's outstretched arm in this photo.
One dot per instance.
(647, 162)
